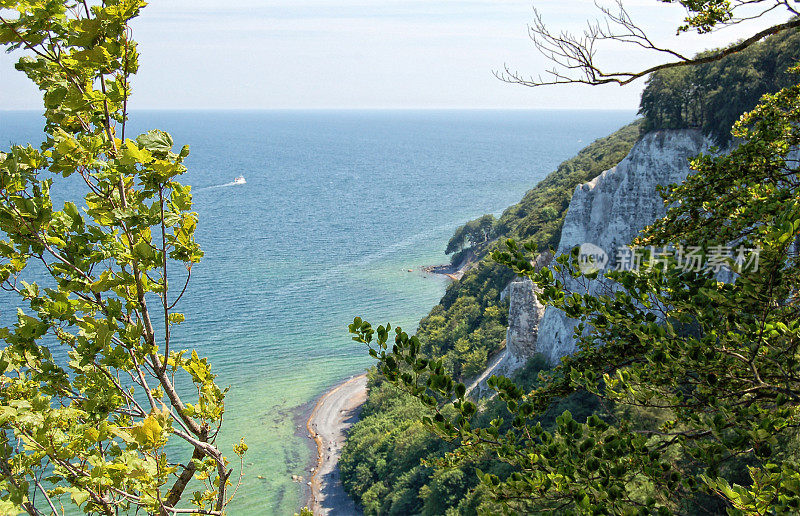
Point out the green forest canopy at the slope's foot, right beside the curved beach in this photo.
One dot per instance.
(389, 464)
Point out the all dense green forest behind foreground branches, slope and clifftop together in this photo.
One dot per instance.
(391, 463)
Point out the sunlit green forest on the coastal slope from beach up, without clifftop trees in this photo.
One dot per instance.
(380, 464)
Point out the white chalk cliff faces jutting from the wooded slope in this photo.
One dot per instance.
(609, 212)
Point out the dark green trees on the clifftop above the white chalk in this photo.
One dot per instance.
(712, 96)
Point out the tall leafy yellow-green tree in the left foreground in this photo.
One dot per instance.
(89, 385)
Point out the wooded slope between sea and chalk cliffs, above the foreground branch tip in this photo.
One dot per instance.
(469, 324)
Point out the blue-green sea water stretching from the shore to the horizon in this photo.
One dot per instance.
(338, 205)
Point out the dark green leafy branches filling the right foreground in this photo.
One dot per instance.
(719, 362)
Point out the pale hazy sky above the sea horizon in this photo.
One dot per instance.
(368, 54)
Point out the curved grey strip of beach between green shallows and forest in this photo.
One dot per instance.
(334, 413)
